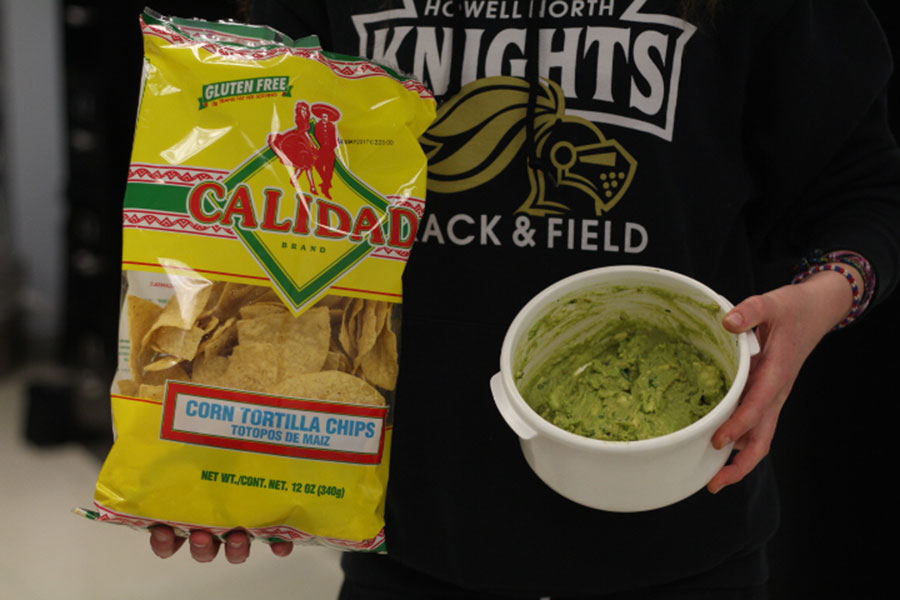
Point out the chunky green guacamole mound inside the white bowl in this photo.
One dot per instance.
(633, 381)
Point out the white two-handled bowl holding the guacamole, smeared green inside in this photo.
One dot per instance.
(613, 475)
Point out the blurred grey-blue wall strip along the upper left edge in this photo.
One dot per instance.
(32, 171)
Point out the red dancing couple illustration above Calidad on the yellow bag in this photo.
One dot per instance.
(311, 145)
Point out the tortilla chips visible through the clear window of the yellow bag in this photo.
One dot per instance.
(243, 337)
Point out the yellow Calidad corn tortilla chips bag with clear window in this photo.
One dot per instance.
(273, 198)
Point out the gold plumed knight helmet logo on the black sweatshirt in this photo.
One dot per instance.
(481, 130)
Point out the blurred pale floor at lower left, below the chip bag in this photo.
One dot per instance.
(50, 553)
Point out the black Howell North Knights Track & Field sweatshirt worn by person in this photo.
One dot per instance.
(584, 134)
